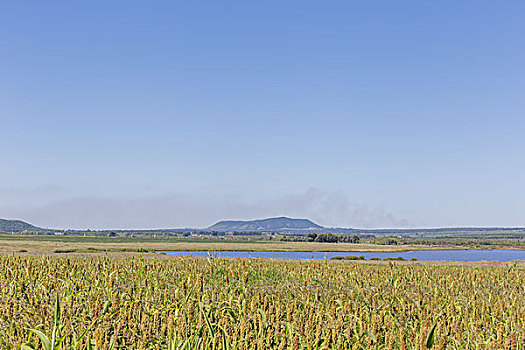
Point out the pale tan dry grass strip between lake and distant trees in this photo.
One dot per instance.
(44, 244)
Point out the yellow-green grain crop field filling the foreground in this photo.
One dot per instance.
(213, 303)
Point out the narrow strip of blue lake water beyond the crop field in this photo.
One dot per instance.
(423, 255)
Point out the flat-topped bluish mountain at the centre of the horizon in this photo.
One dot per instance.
(272, 224)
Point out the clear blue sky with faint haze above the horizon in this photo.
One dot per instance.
(146, 114)
